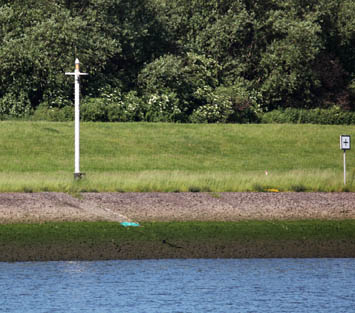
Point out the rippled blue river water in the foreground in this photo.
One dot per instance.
(195, 285)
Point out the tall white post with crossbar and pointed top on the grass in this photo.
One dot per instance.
(77, 74)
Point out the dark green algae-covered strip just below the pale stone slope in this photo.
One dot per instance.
(99, 232)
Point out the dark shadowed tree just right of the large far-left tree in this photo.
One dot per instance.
(134, 26)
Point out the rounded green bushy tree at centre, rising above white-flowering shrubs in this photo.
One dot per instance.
(182, 76)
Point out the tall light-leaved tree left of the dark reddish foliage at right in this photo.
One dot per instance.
(286, 76)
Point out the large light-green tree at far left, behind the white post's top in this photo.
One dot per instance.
(39, 41)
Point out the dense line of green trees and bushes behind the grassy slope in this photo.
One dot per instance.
(181, 60)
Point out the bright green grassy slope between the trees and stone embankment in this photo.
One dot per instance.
(39, 156)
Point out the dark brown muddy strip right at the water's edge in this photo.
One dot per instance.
(180, 250)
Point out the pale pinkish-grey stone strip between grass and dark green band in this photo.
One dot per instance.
(119, 207)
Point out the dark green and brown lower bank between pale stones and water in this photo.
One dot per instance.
(103, 240)
